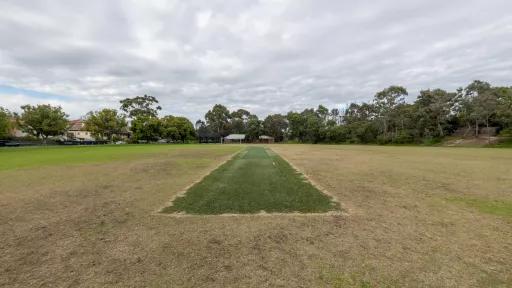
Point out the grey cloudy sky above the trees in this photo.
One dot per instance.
(267, 56)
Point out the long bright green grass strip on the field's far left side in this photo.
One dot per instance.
(24, 157)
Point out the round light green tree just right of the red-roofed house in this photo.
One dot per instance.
(104, 124)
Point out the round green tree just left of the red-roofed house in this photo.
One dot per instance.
(43, 121)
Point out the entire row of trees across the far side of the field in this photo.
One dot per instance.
(387, 118)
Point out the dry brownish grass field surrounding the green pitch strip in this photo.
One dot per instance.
(414, 217)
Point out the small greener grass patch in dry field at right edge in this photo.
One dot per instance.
(494, 207)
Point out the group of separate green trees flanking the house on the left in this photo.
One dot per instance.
(138, 117)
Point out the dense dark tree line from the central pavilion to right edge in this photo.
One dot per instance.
(387, 118)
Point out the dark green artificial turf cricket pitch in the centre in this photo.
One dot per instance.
(256, 180)
